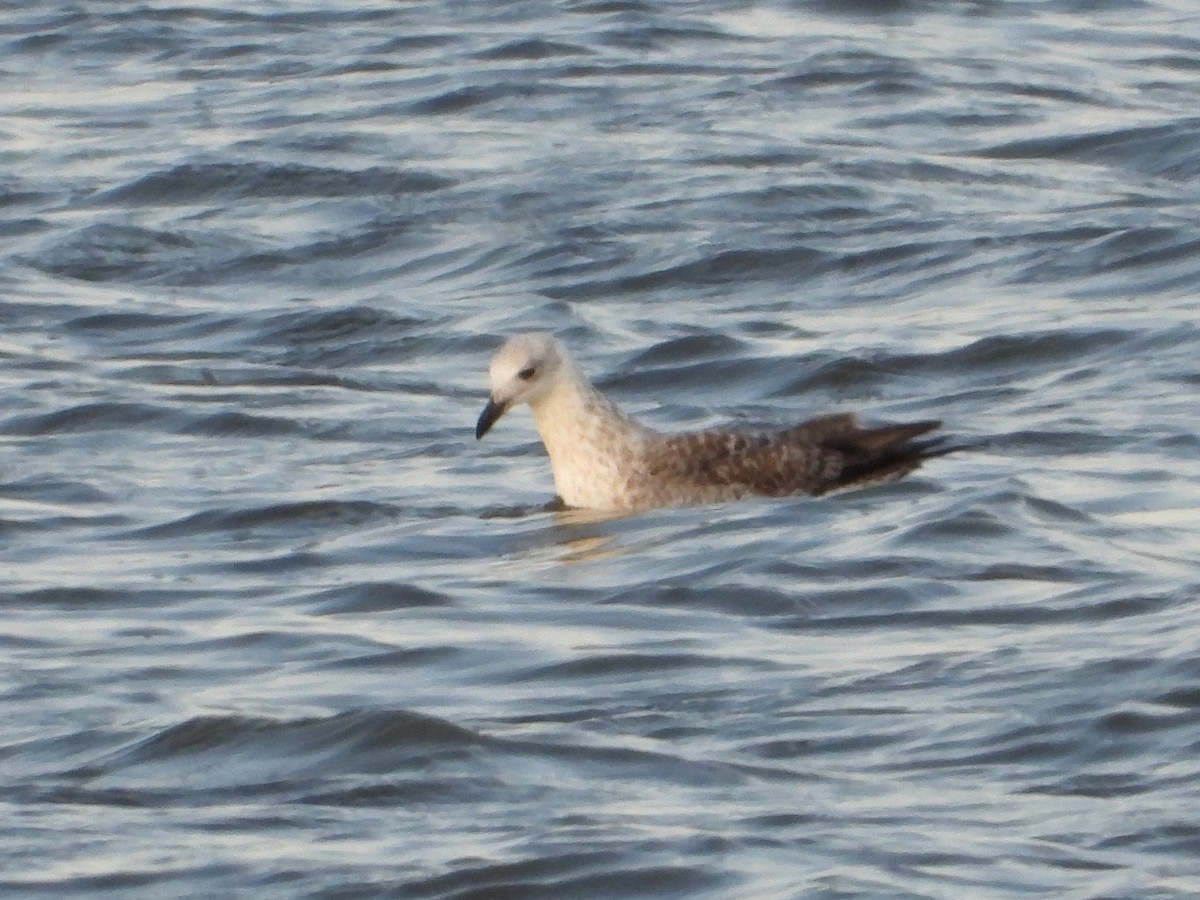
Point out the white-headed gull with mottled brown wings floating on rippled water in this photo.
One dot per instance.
(603, 459)
